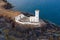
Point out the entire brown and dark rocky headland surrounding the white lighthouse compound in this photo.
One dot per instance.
(10, 30)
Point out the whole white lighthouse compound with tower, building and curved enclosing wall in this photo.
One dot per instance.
(28, 20)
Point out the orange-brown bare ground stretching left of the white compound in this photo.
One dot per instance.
(6, 12)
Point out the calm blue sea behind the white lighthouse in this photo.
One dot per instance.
(49, 9)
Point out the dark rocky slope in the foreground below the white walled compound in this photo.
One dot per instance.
(11, 30)
